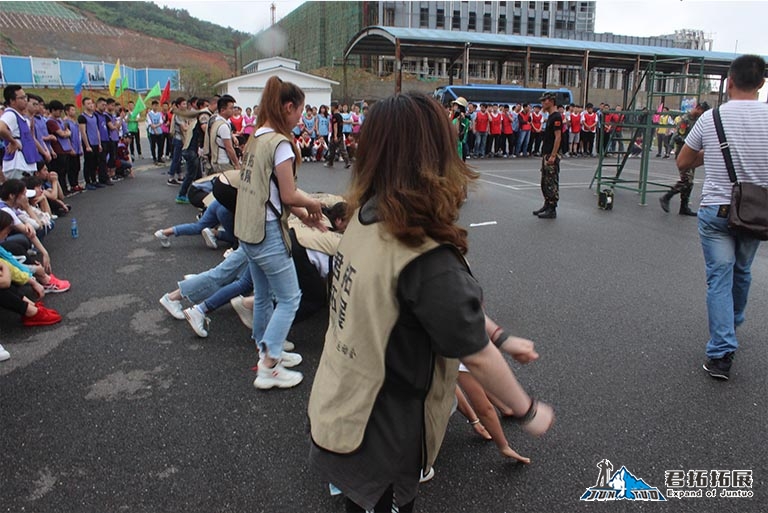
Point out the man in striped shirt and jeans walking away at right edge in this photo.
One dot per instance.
(728, 255)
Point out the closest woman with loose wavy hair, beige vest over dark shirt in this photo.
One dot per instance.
(403, 308)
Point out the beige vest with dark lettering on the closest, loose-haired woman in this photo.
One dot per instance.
(364, 310)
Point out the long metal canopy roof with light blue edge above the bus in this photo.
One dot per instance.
(459, 46)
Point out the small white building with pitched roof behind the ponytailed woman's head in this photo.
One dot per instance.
(247, 89)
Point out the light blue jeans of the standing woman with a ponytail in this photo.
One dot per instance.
(272, 268)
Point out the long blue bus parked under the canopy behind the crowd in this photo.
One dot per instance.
(500, 94)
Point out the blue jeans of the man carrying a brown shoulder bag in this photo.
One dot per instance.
(728, 259)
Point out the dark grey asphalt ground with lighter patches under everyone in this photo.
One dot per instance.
(122, 408)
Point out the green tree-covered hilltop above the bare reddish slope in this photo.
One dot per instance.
(163, 22)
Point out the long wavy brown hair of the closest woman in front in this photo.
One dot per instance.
(407, 159)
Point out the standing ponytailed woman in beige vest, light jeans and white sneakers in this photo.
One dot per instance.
(267, 195)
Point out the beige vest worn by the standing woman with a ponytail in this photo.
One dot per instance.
(253, 193)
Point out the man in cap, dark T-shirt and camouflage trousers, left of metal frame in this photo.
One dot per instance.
(550, 163)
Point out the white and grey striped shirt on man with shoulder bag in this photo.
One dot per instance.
(745, 123)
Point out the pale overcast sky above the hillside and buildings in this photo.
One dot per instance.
(736, 26)
